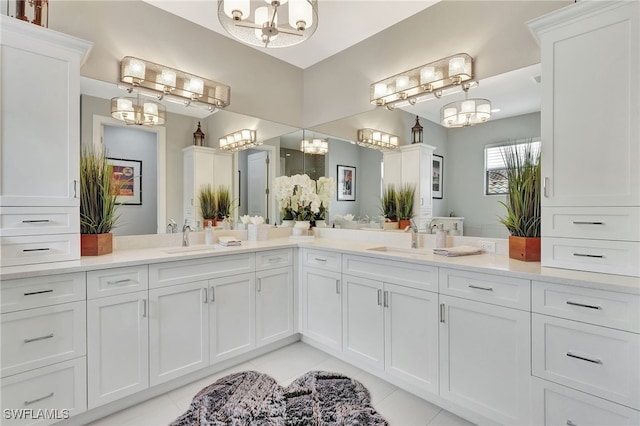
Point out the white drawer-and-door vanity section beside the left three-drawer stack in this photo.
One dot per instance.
(117, 333)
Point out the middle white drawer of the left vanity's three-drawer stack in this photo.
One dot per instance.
(42, 336)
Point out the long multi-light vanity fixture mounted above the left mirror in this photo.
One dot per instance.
(164, 83)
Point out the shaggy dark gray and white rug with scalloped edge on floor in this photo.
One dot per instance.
(252, 398)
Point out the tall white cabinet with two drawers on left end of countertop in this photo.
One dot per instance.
(40, 137)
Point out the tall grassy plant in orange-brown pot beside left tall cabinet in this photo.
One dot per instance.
(97, 202)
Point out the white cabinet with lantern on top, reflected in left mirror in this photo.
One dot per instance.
(203, 166)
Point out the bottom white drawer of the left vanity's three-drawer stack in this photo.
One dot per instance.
(60, 387)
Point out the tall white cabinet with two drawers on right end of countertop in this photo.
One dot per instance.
(591, 136)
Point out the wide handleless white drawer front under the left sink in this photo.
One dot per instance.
(185, 271)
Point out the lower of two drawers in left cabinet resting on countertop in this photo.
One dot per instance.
(39, 249)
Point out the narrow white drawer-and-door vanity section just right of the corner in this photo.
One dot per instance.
(321, 297)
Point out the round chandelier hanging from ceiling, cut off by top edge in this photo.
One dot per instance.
(269, 23)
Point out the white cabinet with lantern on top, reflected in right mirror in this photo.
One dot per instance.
(412, 164)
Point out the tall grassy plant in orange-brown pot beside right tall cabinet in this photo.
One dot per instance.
(522, 170)
